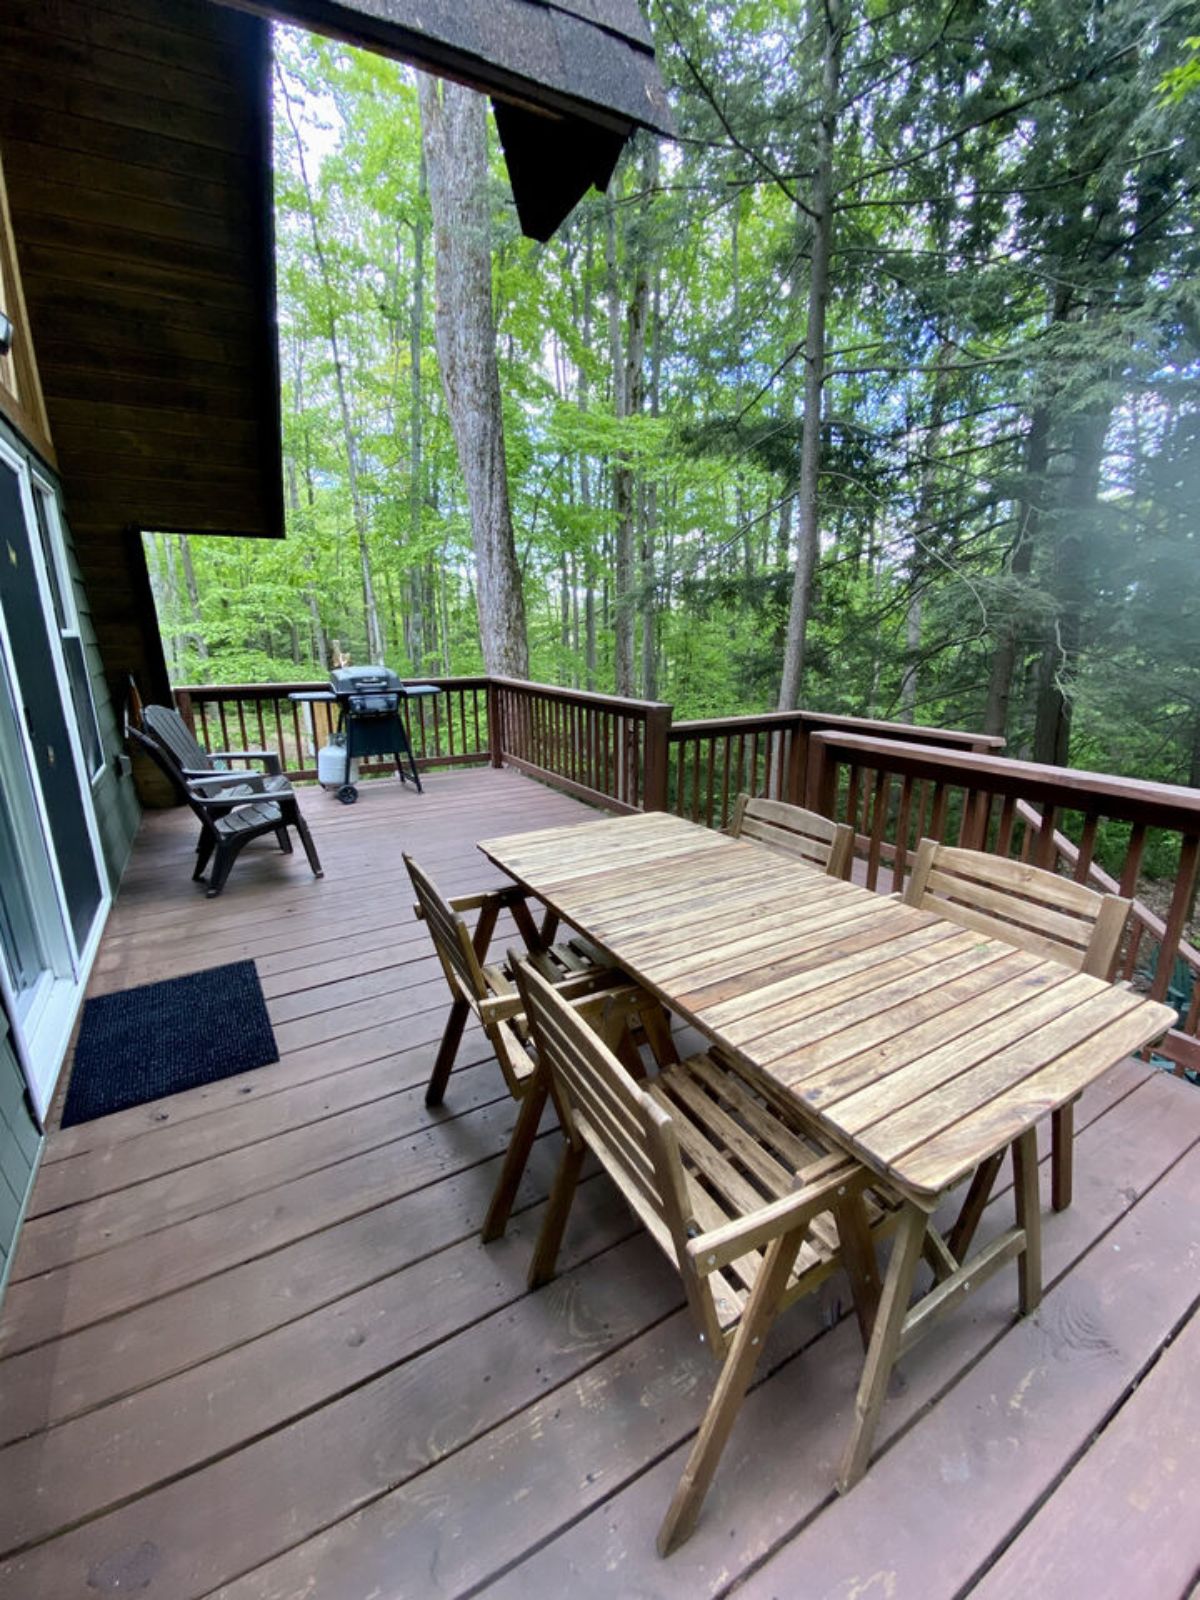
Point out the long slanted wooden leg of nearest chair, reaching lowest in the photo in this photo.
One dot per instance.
(735, 1380)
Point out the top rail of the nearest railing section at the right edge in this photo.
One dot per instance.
(1132, 799)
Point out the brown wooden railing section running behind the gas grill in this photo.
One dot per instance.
(446, 730)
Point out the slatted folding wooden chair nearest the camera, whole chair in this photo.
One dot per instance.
(751, 1212)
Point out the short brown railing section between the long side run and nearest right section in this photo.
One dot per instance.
(711, 762)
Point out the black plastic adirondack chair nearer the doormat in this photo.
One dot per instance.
(228, 825)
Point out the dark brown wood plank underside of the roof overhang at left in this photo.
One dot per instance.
(137, 143)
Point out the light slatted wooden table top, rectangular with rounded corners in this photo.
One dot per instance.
(916, 1044)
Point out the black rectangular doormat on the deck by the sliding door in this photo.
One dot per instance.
(142, 1044)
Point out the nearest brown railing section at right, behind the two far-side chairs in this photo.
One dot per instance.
(897, 794)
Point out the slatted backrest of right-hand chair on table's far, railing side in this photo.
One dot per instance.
(1028, 906)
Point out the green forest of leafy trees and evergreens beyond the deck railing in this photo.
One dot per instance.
(874, 393)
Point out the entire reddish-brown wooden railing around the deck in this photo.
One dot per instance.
(895, 783)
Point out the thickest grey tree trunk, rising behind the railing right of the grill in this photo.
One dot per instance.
(455, 138)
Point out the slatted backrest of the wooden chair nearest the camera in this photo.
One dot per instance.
(601, 1105)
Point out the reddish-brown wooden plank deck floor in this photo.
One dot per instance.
(254, 1348)
